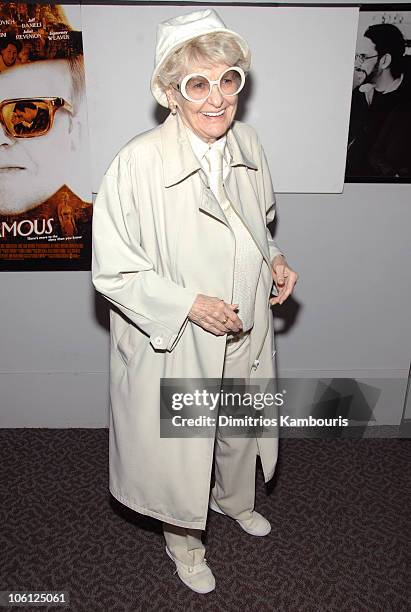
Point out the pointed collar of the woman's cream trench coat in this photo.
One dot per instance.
(179, 160)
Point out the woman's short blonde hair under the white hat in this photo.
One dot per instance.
(208, 49)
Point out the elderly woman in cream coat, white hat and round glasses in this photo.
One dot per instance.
(182, 251)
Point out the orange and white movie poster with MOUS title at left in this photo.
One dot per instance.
(45, 193)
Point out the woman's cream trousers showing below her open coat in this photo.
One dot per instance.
(234, 467)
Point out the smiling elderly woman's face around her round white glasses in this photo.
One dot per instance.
(209, 119)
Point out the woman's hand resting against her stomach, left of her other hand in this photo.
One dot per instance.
(215, 315)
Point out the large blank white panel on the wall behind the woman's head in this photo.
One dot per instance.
(297, 97)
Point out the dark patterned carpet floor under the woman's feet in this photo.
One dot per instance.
(339, 511)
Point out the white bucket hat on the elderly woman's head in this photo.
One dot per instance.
(174, 33)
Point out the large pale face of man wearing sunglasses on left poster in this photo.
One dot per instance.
(33, 169)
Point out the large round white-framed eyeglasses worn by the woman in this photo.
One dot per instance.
(197, 87)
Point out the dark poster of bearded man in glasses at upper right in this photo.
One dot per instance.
(379, 141)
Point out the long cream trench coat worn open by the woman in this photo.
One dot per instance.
(159, 239)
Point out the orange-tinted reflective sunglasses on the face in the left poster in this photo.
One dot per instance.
(30, 117)
